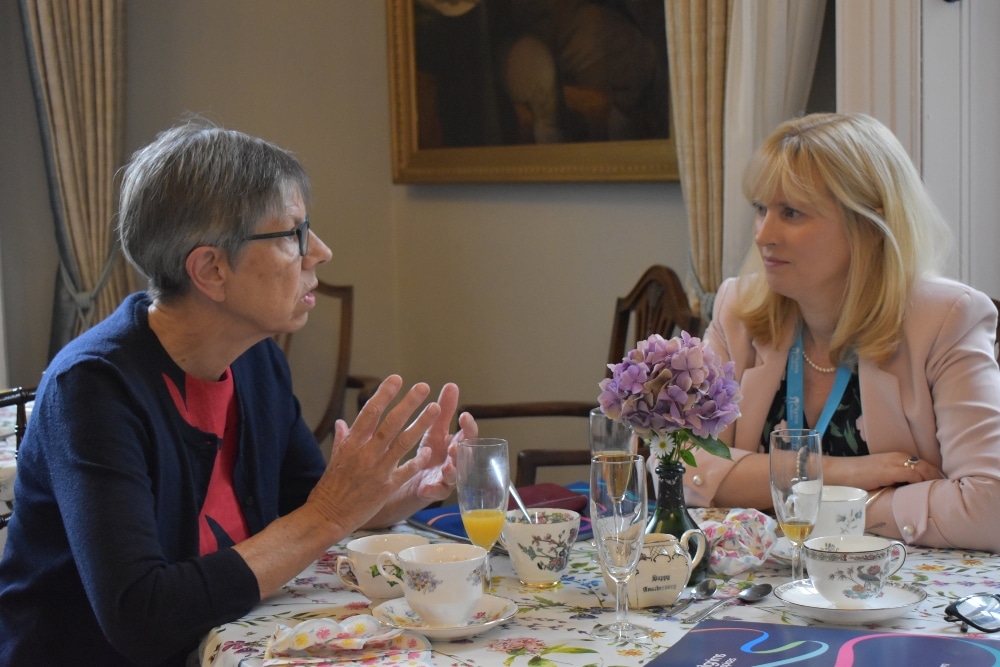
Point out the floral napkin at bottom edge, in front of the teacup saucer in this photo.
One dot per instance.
(354, 641)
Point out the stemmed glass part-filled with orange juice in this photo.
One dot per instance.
(483, 479)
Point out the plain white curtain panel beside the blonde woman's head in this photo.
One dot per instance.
(772, 55)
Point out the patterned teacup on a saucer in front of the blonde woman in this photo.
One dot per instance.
(851, 570)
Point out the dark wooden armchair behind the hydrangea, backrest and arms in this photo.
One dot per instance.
(657, 304)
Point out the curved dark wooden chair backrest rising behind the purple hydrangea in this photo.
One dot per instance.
(657, 304)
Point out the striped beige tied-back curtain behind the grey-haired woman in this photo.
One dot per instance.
(76, 53)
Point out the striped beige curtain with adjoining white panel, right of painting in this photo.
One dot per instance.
(737, 69)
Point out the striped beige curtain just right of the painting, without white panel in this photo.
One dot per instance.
(696, 51)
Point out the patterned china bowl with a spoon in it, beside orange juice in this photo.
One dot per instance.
(540, 550)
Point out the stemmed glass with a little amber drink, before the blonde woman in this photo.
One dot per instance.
(796, 486)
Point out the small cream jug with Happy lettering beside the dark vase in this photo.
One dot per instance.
(663, 570)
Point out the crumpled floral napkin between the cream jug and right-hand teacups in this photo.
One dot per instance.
(740, 542)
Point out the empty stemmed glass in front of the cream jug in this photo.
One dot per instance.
(618, 519)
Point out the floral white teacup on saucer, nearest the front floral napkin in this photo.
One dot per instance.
(443, 583)
